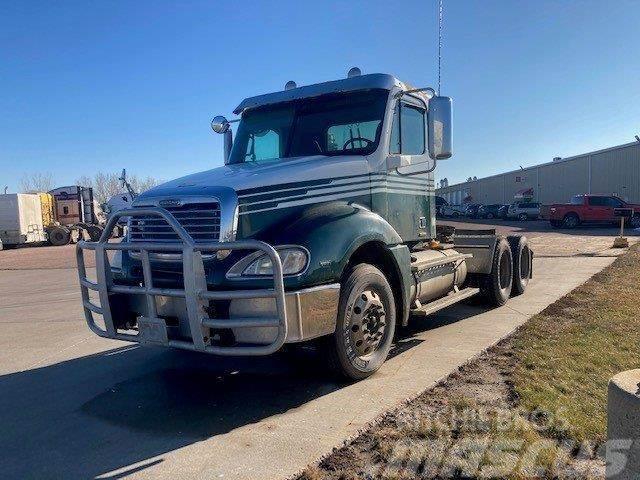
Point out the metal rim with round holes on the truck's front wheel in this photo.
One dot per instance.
(368, 323)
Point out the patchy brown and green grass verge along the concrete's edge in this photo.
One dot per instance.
(542, 389)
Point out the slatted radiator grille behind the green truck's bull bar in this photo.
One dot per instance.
(200, 220)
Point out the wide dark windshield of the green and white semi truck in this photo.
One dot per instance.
(340, 124)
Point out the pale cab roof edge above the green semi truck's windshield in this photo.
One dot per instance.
(362, 82)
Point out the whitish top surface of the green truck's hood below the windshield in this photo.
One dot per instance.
(252, 175)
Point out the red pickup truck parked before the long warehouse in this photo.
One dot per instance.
(589, 209)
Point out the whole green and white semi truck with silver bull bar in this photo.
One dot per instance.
(319, 227)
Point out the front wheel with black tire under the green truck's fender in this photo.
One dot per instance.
(365, 325)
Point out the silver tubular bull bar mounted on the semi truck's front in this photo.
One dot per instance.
(195, 292)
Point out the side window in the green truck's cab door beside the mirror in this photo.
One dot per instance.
(407, 133)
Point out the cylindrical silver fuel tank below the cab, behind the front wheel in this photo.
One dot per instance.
(436, 273)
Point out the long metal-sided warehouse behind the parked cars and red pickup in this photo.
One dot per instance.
(614, 170)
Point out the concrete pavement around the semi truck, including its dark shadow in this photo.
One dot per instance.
(73, 405)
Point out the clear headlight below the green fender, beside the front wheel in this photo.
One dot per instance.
(258, 264)
